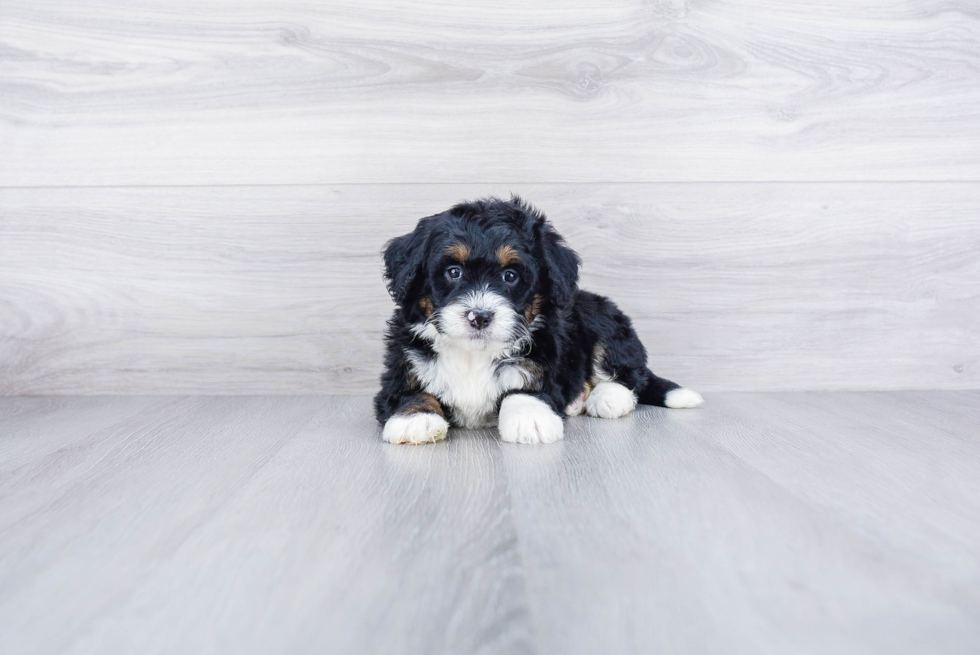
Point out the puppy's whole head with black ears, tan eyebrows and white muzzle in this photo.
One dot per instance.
(481, 275)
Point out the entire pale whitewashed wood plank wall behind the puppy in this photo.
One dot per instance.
(193, 195)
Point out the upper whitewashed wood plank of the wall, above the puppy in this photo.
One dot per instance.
(263, 92)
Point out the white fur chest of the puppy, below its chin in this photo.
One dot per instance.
(470, 383)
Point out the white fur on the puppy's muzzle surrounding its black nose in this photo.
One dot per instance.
(455, 324)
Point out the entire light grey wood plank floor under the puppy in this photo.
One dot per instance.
(761, 523)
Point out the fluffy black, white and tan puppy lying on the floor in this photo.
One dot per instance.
(491, 327)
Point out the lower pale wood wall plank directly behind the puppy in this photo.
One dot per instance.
(278, 290)
